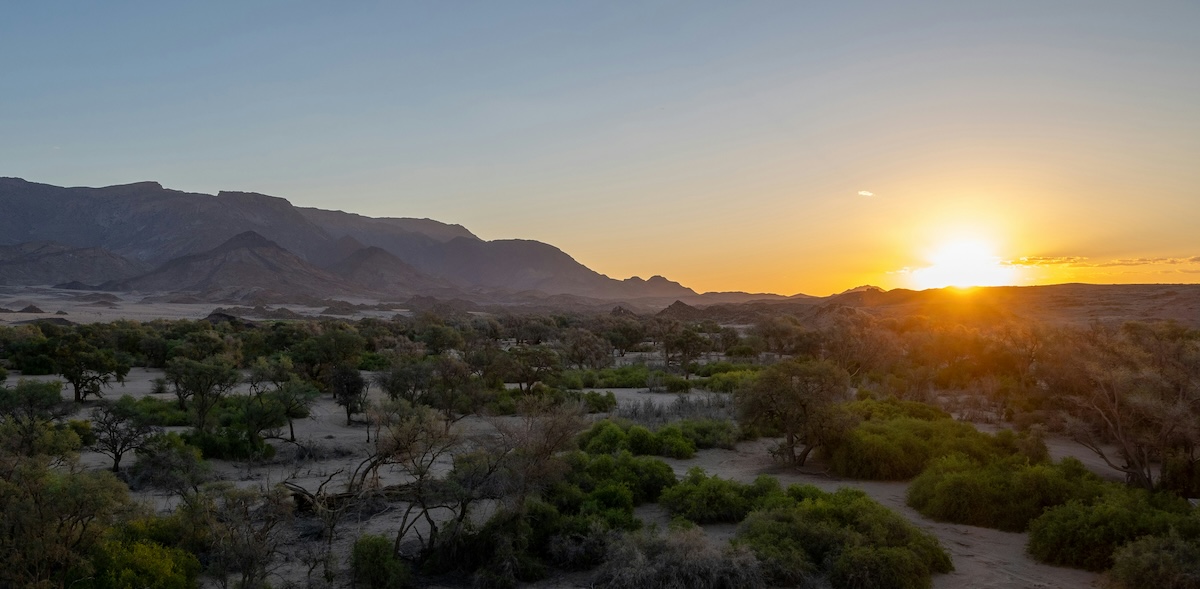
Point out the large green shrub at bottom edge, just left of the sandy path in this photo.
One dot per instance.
(844, 536)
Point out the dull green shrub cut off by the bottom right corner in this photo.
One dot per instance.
(1161, 562)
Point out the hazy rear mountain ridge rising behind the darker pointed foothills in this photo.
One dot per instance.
(151, 226)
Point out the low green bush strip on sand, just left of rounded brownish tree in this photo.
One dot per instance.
(680, 440)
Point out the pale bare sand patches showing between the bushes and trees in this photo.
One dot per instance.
(983, 558)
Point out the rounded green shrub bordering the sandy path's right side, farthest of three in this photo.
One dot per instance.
(1005, 495)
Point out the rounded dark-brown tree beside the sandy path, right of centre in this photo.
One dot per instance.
(799, 399)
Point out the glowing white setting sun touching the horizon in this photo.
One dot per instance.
(964, 265)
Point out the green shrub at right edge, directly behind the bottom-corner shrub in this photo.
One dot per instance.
(1087, 534)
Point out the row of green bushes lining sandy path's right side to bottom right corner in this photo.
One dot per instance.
(1075, 518)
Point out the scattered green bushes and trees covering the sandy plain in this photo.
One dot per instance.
(873, 399)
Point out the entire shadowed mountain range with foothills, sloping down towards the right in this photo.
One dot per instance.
(244, 247)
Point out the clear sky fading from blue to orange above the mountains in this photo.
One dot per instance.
(784, 147)
